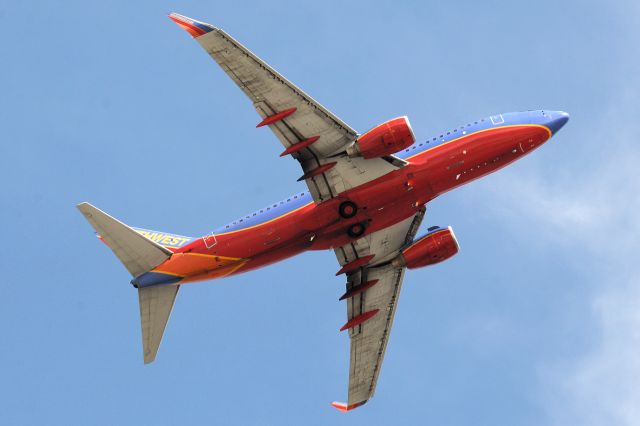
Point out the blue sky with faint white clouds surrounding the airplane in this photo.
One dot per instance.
(534, 322)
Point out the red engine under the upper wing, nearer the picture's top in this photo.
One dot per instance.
(385, 139)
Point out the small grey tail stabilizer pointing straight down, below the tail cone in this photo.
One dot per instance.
(155, 308)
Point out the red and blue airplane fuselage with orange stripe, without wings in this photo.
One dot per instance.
(289, 227)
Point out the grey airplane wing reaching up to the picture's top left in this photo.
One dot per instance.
(309, 132)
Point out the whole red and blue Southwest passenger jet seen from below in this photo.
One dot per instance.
(366, 198)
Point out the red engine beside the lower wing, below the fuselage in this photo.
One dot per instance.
(438, 245)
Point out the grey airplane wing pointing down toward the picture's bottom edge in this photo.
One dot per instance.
(372, 297)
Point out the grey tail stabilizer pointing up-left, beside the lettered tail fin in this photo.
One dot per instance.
(138, 253)
